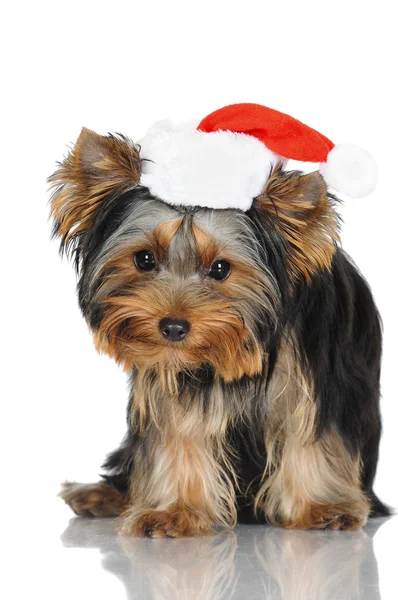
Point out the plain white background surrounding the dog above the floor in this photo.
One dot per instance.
(119, 66)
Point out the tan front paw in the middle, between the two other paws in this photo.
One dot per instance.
(165, 524)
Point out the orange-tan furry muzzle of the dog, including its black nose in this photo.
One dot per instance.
(140, 336)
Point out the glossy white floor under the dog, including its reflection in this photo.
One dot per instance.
(87, 559)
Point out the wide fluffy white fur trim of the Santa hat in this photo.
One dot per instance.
(221, 169)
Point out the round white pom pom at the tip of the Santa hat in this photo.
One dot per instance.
(350, 170)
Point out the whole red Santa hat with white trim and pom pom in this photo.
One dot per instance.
(224, 161)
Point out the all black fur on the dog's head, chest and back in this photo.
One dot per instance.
(334, 320)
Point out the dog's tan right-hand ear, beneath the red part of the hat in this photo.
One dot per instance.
(302, 211)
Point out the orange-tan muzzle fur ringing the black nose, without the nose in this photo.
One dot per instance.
(215, 325)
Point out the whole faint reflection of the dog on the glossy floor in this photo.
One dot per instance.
(252, 561)
